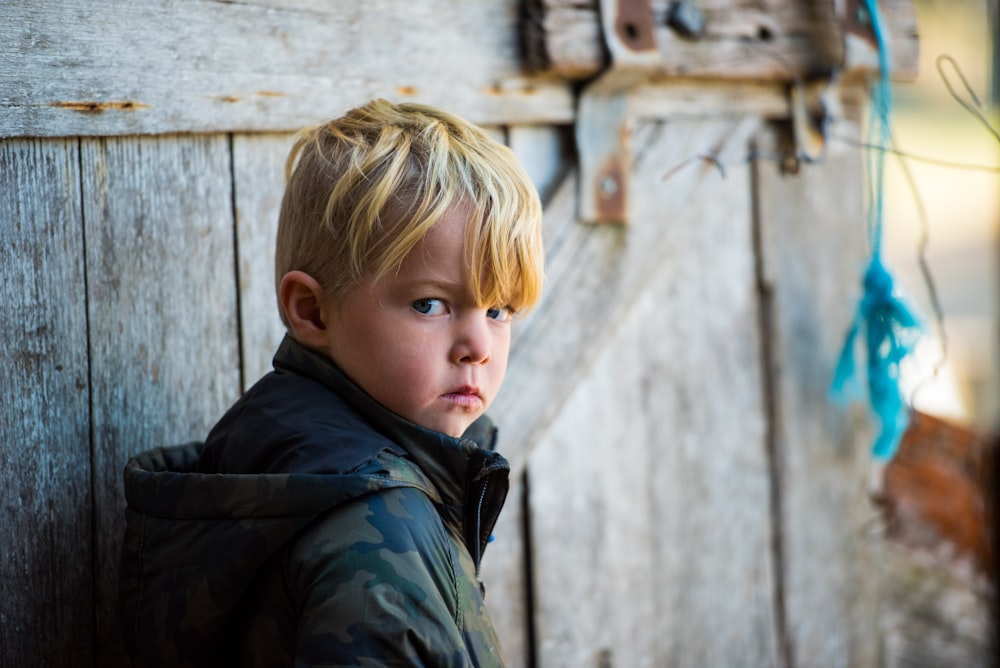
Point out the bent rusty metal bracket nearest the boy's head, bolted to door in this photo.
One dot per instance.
(603, 120)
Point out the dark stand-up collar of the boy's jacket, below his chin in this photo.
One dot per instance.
(450, 463)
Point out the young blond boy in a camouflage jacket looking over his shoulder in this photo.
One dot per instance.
(338, 512)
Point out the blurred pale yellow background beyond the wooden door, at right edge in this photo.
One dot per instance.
(962, 211)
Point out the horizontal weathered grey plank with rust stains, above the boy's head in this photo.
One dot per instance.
(102, 67)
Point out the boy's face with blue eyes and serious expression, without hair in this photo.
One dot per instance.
(417, 342)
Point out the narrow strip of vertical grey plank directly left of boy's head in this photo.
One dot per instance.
(259, 176)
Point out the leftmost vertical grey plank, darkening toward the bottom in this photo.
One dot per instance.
(46, 583)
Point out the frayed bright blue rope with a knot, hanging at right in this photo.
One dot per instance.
(890, 328)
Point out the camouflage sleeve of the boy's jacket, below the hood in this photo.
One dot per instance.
(376, 585)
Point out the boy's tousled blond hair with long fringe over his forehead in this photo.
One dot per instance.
(364, 188)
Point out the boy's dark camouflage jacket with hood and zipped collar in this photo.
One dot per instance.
(312, 528)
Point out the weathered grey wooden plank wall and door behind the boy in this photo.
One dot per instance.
(683, 492)
